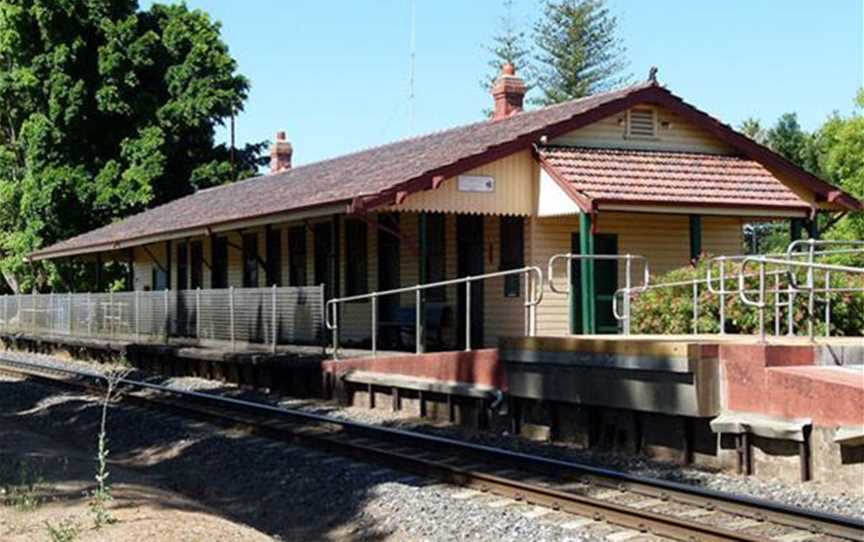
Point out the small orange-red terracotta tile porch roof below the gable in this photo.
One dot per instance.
(610, 175)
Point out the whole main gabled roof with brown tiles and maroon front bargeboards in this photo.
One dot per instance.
(384, 175)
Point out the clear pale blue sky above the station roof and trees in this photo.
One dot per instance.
(334, 75)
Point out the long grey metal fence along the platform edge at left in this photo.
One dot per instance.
(271, 316)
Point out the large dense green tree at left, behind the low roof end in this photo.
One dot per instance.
(107, 110)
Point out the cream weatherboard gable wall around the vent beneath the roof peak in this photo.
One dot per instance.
(675, 135)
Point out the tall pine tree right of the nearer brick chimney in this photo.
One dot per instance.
(579, 51)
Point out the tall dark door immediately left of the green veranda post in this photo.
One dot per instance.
(388, 279)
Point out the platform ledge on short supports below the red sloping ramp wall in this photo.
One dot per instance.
(483, 395)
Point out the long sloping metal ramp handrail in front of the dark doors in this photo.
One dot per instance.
(533, 297)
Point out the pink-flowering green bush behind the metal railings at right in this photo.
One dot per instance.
(670, 309)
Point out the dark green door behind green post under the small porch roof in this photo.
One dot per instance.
(605, 286)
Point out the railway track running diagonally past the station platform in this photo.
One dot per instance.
(661, 508)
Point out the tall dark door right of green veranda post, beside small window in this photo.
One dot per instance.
(469, 234)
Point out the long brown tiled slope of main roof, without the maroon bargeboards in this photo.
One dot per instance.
(340, 179)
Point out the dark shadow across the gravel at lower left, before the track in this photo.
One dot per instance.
(285, 491)
